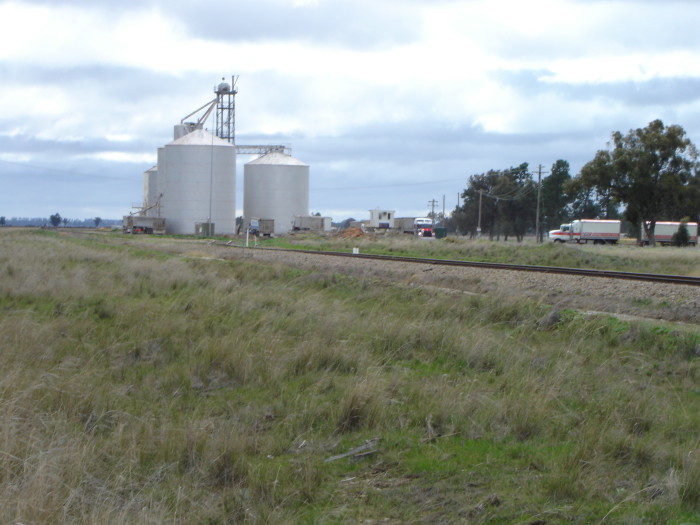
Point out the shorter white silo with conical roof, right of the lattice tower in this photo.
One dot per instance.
(276, 186)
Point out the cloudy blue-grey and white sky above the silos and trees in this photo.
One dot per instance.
(392, 103)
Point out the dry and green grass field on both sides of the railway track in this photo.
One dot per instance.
(141, 386)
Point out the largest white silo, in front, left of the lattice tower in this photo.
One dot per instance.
(197, 181)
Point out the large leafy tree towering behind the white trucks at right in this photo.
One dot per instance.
(651, 171)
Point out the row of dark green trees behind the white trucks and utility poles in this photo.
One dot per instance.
(647, 175)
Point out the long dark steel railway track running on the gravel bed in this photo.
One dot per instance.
(611, 274)
